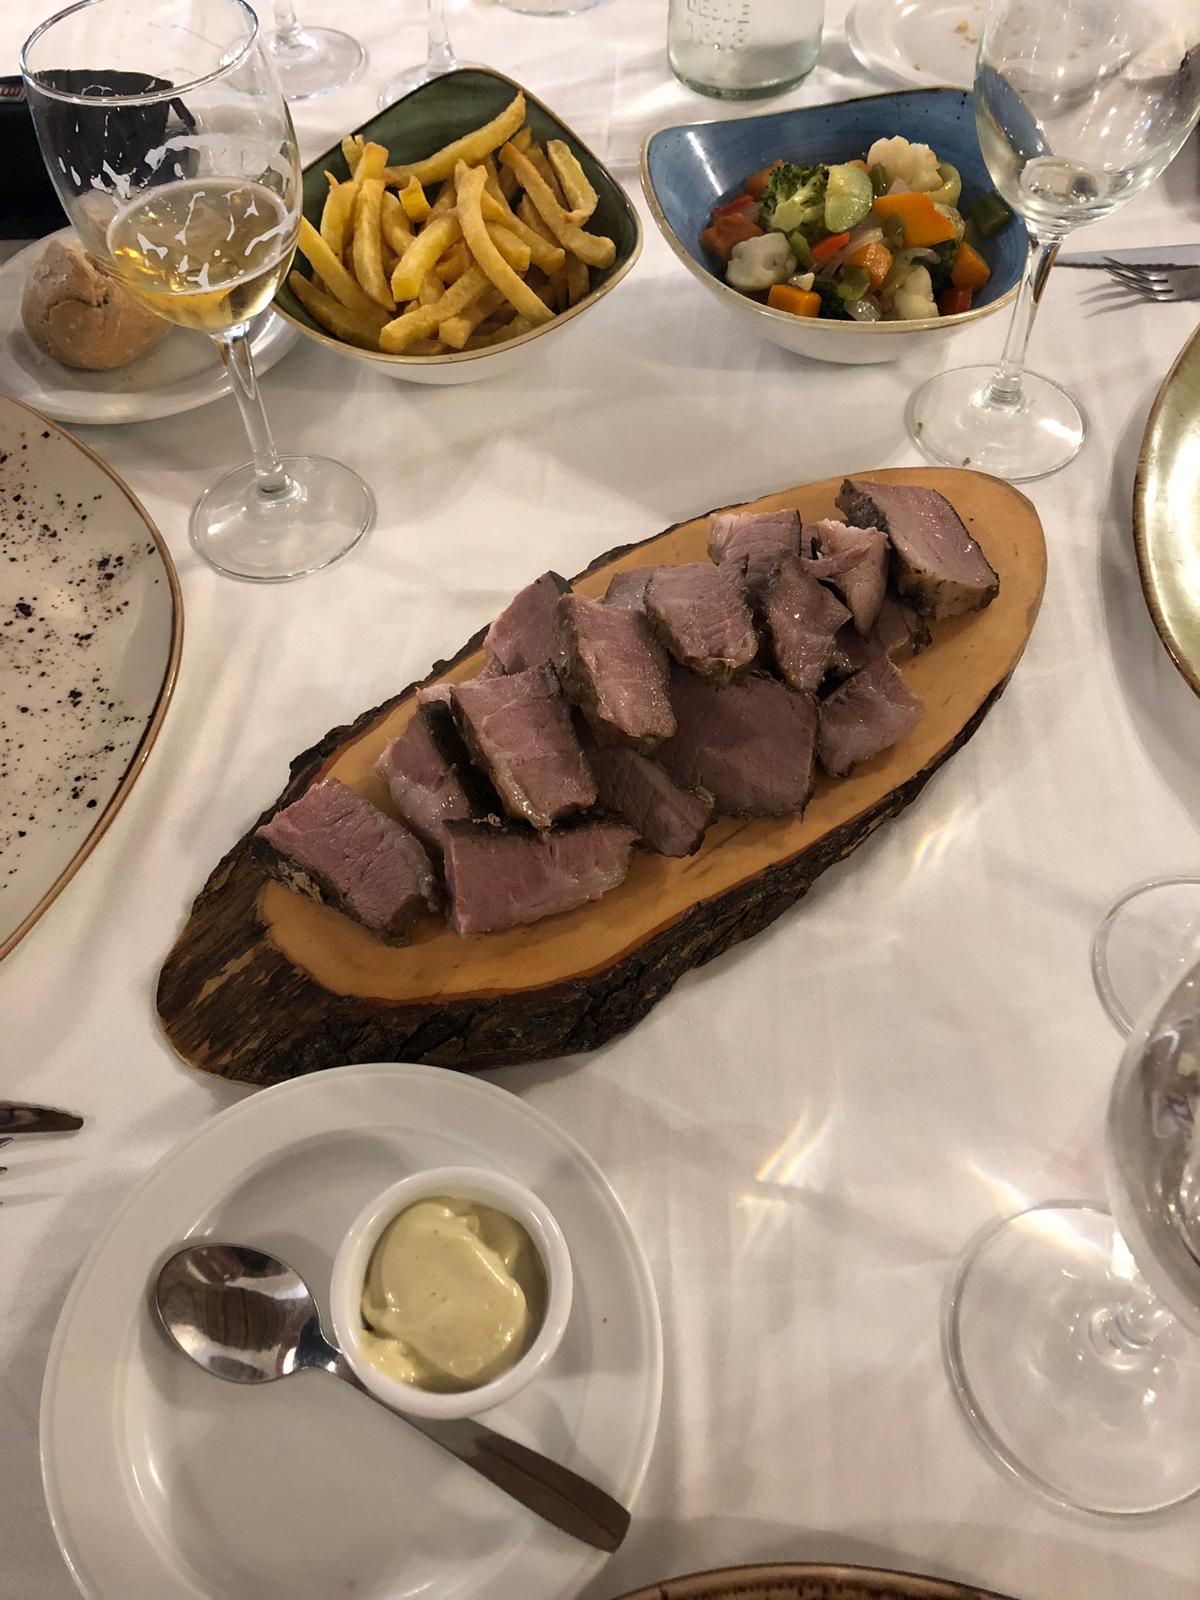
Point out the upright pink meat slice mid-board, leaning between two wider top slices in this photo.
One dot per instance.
(615, 671)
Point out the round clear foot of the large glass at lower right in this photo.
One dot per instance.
(1065, 1409)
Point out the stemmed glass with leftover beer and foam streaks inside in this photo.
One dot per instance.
(174, 154)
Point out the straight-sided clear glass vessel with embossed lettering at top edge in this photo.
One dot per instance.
(743, 49)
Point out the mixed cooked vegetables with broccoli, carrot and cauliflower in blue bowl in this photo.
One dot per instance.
(858, 241)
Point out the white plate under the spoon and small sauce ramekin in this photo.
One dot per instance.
(166, 1482)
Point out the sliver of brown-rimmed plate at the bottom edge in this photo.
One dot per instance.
(810, 1582)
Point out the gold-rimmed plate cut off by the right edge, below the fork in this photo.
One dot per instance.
(1167, 513)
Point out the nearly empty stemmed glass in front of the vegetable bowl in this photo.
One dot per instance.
(1079, 106)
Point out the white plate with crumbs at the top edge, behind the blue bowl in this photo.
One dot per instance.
(929, 44)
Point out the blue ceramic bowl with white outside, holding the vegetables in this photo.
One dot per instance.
(690, 169)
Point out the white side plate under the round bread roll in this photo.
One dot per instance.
(180, 374)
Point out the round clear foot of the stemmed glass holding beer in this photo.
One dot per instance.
(314, 524)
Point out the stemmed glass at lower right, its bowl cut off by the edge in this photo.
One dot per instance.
(1073, 1337)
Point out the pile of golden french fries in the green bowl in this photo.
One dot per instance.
(468, 249)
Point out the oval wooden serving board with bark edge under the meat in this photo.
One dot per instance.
(265, 985)
